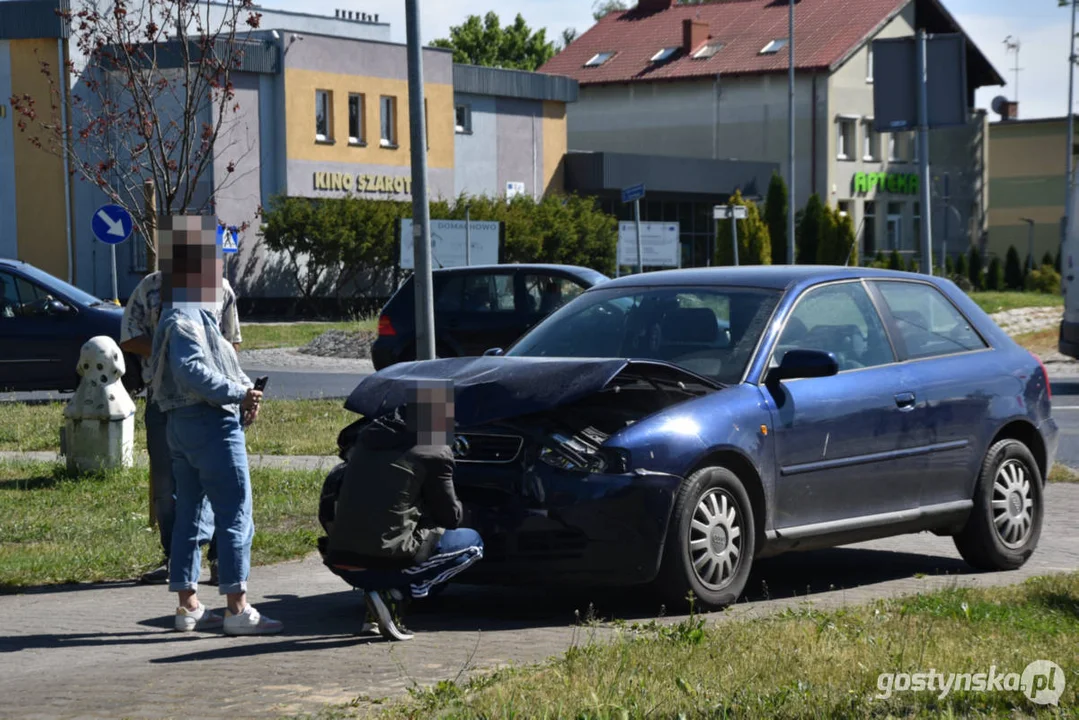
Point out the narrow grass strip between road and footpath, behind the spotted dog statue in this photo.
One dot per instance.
(283, 428)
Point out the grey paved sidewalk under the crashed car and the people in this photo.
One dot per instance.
(106, 651)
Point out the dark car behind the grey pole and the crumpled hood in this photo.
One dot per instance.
(479, 308)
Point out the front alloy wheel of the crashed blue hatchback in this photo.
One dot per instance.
(716, 539)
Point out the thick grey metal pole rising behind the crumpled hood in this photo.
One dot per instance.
(421, 211)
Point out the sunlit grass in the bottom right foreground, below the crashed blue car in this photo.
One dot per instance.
(799, 664)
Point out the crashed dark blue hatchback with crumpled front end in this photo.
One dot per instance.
(673, 427)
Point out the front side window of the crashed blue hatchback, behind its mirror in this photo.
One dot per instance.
(841, 320)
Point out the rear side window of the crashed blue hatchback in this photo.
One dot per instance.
(927, 322)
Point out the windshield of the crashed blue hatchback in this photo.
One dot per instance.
(709, 331)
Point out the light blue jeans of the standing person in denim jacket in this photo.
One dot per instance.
(210, 464)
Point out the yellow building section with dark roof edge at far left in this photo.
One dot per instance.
(35, 189)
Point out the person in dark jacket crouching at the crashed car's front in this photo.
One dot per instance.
(397, 533)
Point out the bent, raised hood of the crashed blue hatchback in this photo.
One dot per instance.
(491, 389)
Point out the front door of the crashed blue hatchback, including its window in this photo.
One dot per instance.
(840, 443)
